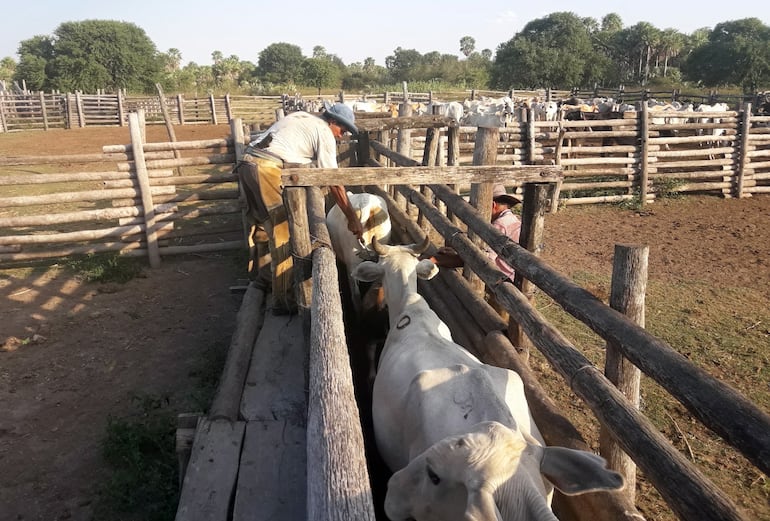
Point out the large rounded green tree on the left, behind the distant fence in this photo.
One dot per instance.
(103, 54)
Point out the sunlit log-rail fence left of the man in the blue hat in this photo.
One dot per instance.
(140, 199)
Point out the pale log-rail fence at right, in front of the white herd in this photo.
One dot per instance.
(637, 156)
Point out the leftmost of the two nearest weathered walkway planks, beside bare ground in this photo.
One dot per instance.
(209, 483)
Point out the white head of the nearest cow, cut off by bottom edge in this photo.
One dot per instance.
(492, 473)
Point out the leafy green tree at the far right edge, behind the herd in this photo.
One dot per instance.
(737, 52)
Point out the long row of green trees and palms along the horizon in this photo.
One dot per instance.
(560, 51)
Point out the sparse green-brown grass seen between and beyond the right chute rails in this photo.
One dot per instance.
(723, 331)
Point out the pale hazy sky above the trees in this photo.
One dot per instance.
(351, 31)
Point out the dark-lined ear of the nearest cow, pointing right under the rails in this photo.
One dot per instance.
(576, 472)
